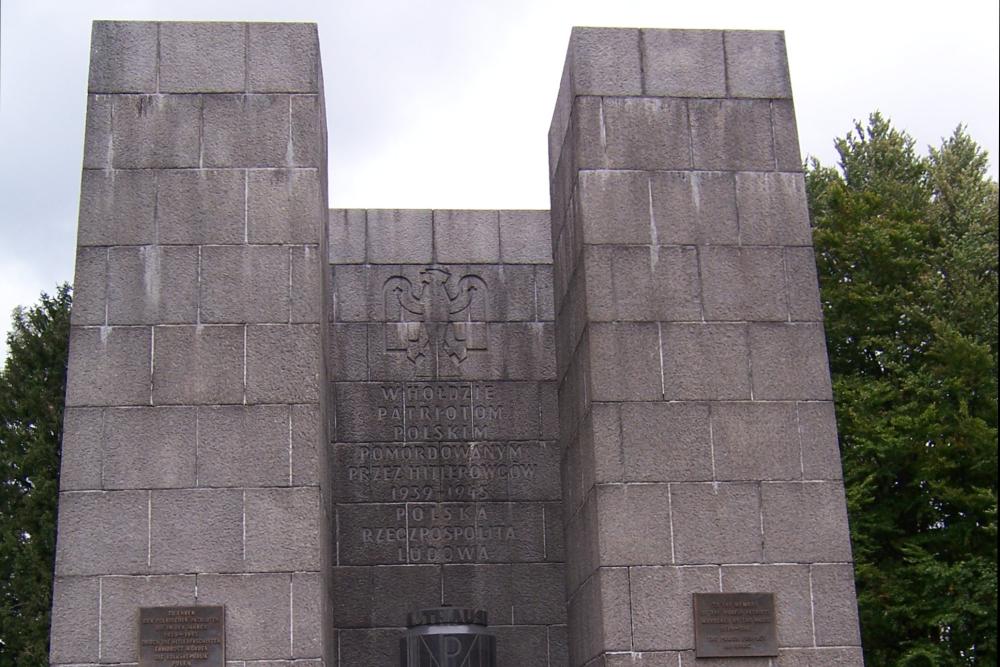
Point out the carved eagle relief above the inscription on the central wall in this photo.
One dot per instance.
(435, 311)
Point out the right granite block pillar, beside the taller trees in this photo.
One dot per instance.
(696, 416)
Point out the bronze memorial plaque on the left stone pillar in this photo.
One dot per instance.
(182, 637)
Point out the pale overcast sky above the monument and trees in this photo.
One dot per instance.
(447, 103)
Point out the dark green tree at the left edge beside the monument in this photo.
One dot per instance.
(32, 386)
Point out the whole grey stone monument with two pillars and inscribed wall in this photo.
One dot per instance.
(609, 426)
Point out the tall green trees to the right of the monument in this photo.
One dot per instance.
(906, 248)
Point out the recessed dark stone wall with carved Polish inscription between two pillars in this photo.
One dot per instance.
(443, 428)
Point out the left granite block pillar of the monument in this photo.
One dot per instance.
(195, 415)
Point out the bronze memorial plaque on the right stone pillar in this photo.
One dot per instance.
(730, 625)
